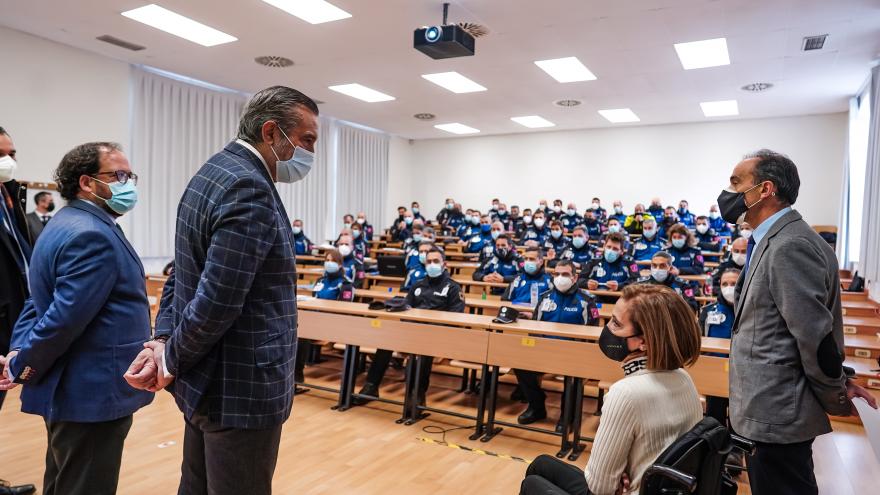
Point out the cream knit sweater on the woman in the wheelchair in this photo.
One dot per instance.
(643, 414)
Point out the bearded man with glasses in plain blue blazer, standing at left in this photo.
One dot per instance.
(87, 318)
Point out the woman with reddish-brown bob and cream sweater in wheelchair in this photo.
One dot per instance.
(654, 334)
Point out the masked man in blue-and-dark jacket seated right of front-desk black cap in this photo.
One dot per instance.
(564, 303)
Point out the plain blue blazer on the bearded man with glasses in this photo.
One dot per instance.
(86, 320)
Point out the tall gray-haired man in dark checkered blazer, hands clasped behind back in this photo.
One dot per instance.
(226, 329)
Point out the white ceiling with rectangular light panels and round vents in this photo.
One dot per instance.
(627, 44)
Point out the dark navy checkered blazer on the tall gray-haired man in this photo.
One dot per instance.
(229, 305)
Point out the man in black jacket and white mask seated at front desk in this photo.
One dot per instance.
(437, 291)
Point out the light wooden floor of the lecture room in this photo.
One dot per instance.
(362, 451)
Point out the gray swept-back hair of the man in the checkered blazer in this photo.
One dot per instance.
(277, 103)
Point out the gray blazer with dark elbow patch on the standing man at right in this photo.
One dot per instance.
(786, 305)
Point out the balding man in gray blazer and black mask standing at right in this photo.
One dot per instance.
(787, 350)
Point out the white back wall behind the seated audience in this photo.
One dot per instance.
(690, 161)
